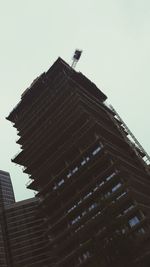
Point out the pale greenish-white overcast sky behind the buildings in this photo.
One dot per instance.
(115, 38)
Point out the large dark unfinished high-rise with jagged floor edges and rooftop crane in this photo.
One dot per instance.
(79, 157)
